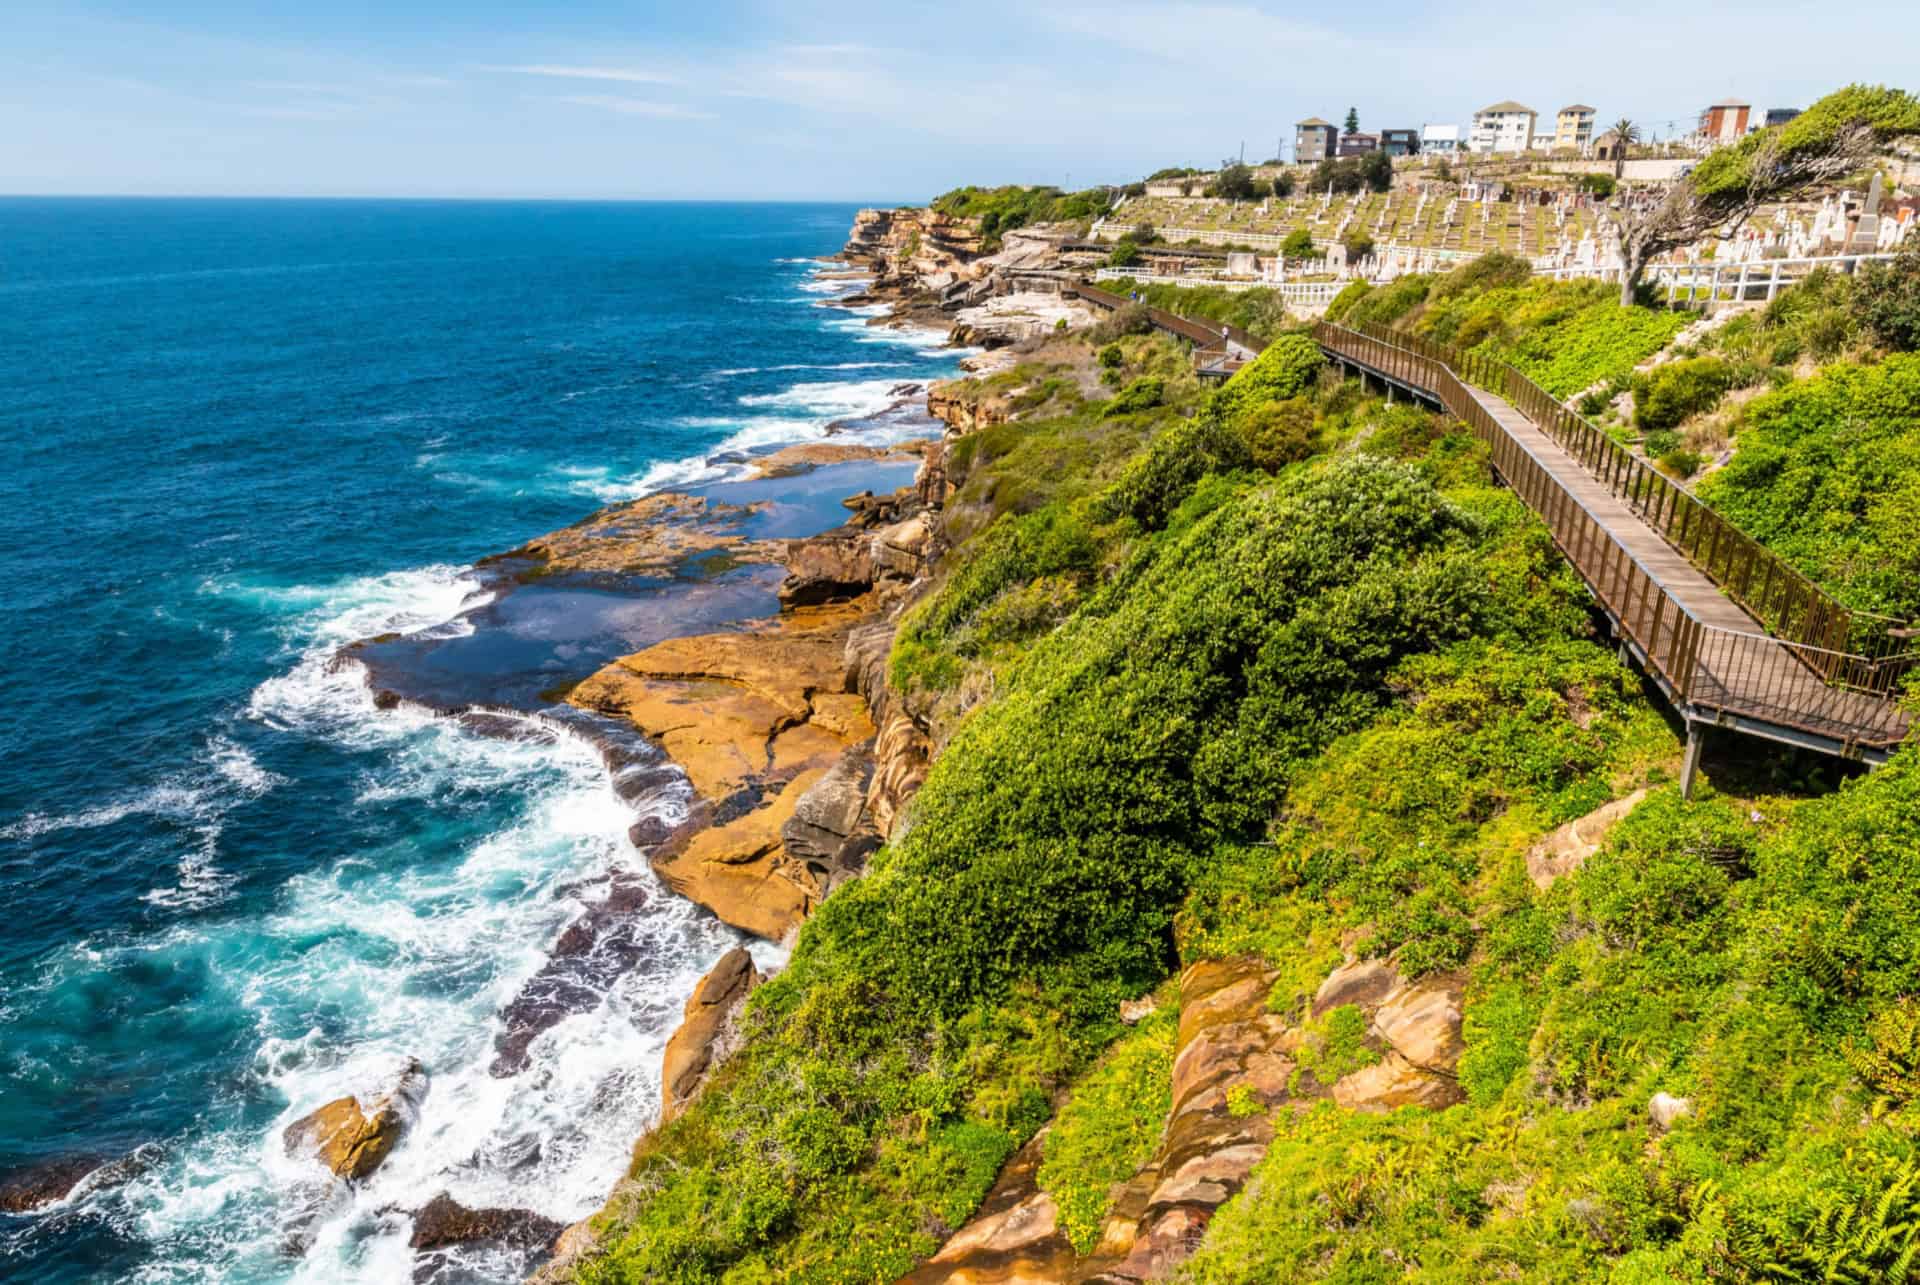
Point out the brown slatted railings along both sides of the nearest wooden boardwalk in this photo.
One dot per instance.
(1817, 667)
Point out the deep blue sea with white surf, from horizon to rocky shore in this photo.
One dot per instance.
(237, 437)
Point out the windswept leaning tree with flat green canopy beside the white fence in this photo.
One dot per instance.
(1827, 143)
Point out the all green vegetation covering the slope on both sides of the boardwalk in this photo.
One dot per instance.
(1278, 671)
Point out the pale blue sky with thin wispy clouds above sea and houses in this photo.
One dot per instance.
(813, 101)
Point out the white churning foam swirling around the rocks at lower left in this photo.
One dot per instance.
(412, 954)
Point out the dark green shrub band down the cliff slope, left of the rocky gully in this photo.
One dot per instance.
(934, 1007)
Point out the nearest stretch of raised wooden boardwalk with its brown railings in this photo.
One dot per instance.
(1689, 596)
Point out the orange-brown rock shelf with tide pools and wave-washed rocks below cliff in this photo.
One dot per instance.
(742, 712)
